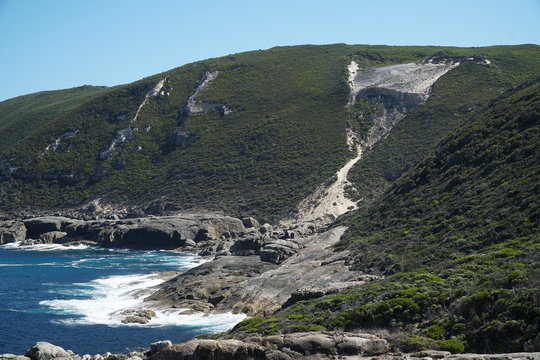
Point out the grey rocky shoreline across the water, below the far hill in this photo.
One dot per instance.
(255, 269)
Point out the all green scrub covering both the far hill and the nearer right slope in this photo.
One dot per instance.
(451, 207)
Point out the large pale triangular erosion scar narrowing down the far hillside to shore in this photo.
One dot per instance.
(395, 89)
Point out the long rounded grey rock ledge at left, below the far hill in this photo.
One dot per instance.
(163, 232)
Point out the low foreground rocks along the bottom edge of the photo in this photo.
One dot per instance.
(305, 346)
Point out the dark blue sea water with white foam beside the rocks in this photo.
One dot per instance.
(71, 297)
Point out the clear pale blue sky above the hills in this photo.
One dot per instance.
(54, 44)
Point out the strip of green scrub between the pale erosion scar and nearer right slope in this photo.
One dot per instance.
(455, 97)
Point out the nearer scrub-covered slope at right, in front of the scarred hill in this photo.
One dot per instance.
(457, 239)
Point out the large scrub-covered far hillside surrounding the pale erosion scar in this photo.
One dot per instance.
(250, 133)
